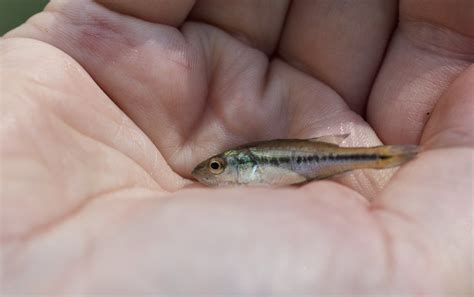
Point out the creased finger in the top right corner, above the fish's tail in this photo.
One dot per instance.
(433, 44)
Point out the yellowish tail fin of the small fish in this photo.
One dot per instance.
(395, 155)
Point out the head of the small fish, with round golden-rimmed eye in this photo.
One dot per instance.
(219, 170)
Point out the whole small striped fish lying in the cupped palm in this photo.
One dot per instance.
(291, 161)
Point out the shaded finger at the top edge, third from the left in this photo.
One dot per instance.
(340, 43)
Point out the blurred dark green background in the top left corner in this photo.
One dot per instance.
(15, 12)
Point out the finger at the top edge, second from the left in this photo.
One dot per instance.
(257, 23)
